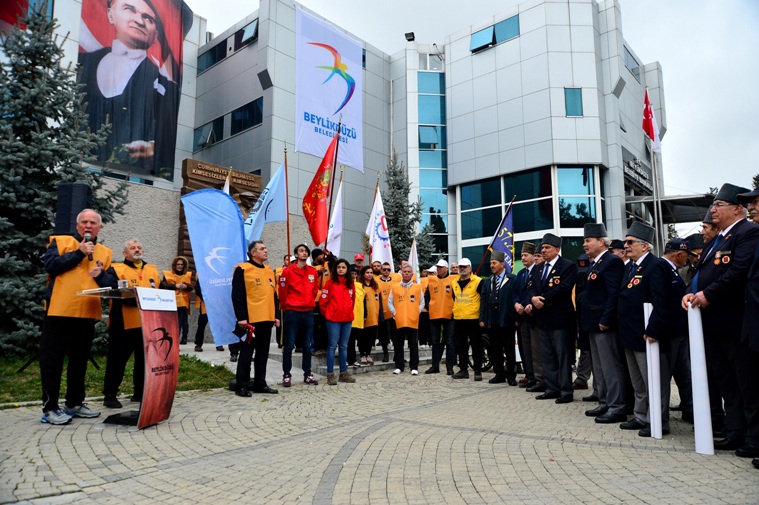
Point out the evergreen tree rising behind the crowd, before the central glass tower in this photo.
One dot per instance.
(402, 216)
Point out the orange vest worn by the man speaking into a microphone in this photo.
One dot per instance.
(64, 301)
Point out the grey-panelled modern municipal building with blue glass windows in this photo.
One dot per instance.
(540, 103)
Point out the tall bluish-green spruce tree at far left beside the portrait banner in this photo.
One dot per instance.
(43, 142)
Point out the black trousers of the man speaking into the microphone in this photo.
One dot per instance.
(64, 336)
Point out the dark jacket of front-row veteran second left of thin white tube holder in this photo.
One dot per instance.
(558, 312)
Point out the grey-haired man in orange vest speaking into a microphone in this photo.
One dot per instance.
(73, 263)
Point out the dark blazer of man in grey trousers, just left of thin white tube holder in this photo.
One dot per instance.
(598, 300)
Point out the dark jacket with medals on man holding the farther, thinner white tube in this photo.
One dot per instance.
(652, 283)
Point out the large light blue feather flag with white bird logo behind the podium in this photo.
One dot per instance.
(218, 246)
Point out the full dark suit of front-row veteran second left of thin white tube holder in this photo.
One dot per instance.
(557, 322)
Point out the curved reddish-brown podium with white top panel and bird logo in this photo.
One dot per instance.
(160, 339)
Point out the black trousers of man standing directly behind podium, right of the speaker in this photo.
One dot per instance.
(121, 345)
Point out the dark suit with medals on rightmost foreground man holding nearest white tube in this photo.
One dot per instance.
(722, 274)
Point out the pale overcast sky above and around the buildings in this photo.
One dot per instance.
(708, 51)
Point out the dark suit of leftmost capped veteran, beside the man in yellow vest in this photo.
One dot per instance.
(499, 317)
